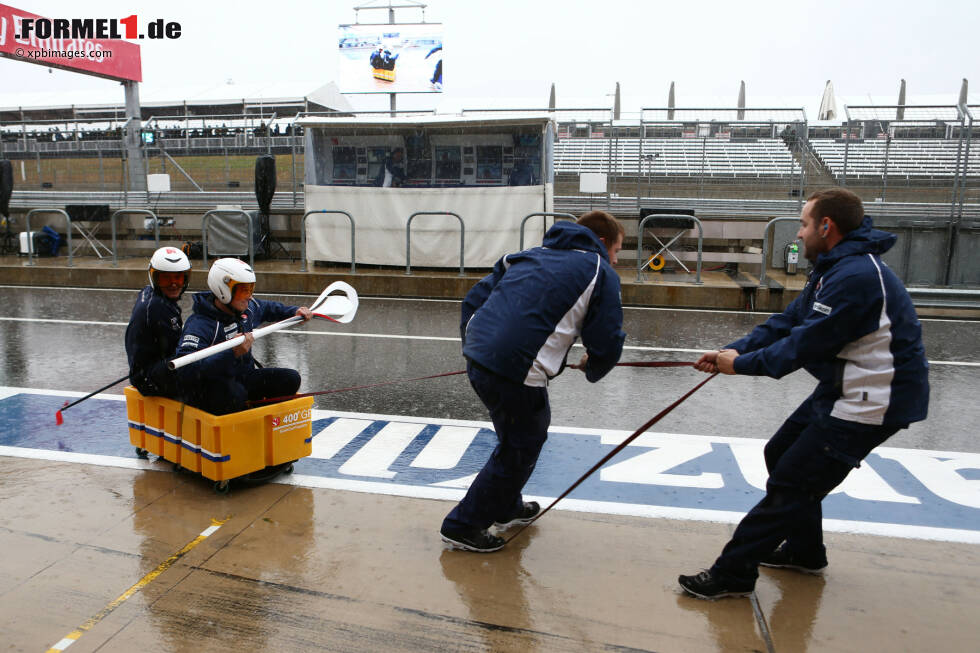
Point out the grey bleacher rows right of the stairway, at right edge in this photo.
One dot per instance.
(907, 158)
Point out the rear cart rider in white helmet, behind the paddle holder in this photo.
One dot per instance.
(155, 324)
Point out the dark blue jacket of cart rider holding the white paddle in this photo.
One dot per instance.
(209, 326)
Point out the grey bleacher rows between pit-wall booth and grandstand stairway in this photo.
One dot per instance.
(691, 157)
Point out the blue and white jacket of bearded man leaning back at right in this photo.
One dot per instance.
(853, 328)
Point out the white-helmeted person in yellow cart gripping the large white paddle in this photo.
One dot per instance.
(225, 382)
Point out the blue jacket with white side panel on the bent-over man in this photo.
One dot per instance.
(520, 320)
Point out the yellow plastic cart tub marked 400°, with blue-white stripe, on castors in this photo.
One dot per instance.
(220, 447)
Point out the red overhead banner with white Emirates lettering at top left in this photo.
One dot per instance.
(69, 44)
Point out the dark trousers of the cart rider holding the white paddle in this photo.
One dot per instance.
(223, 396)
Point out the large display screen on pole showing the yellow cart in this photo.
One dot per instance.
(390, 58)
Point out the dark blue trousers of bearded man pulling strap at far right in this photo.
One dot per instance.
(809, 456)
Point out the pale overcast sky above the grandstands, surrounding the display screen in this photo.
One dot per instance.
(508, 52)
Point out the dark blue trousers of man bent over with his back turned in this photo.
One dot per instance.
(521, 416)
